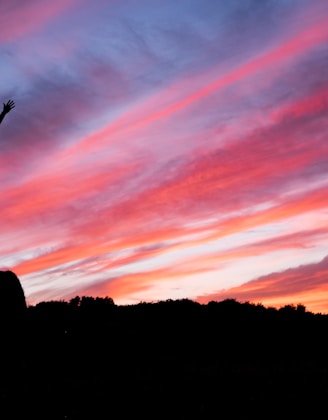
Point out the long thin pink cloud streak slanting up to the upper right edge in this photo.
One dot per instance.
(156, 107)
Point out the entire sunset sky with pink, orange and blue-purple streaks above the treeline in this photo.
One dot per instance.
(166, 150)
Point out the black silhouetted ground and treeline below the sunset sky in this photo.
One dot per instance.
(168, 360)
